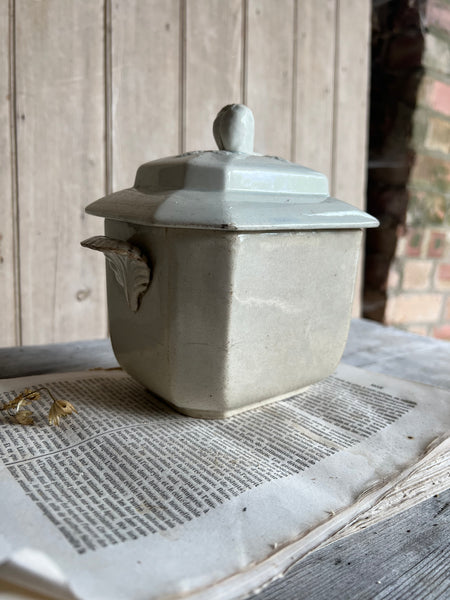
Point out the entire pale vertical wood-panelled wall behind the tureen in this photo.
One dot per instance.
(89, 89)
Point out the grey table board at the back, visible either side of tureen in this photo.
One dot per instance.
(369, 346)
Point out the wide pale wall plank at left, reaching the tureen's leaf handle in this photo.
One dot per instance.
(60, 110)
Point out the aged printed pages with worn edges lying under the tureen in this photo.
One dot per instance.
(128, 499)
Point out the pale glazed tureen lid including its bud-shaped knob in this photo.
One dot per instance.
(230, 189)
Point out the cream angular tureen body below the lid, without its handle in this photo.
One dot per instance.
(233, 320)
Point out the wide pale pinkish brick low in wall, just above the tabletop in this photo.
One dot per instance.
(413, 308)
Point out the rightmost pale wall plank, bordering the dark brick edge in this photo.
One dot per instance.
(350, 109)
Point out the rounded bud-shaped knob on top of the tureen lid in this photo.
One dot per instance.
(234, 129)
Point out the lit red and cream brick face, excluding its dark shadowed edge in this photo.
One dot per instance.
(418, 290)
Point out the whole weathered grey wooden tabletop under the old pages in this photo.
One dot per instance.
(407, 556)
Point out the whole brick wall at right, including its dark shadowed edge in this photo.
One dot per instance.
(407, 280)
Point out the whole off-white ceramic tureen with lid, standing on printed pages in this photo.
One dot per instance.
(230, 275)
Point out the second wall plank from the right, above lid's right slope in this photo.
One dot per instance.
(314, 85)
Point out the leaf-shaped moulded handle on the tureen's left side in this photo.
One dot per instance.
(129, 265)
